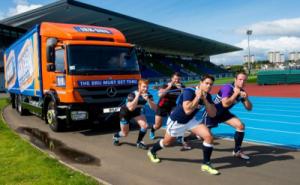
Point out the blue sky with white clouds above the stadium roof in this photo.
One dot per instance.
(275, 24)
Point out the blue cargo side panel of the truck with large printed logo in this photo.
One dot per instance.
(22, 66)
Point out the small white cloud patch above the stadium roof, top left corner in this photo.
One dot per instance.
(21, 6)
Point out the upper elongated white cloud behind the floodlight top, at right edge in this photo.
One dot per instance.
(281, 27)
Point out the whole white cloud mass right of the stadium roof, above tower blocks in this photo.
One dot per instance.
(280, 35)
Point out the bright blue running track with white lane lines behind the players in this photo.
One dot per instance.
(273, 121)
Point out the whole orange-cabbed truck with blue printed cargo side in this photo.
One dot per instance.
(67, 73)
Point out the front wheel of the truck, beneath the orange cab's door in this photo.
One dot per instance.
(51, 117)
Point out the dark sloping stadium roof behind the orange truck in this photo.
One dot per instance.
(151, 37)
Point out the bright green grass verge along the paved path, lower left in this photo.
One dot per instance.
(22, 164)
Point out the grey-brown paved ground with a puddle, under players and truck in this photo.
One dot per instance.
(128, 165)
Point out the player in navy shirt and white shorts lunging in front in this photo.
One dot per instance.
(183, 118)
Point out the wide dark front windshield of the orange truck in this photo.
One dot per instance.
(93, 60)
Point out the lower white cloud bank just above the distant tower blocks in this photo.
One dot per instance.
(260, 49)
